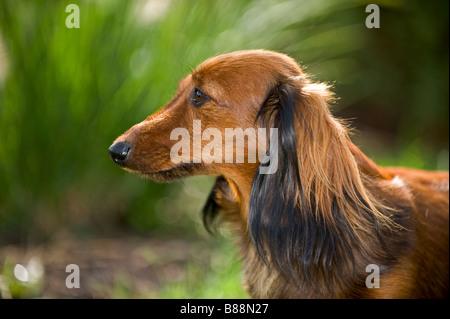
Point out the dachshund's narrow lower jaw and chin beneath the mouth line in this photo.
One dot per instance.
(171, 174)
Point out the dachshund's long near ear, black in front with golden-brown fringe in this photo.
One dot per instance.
(303, 217)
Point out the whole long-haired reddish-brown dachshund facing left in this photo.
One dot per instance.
(328, 222)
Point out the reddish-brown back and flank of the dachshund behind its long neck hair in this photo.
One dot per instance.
(428, 264)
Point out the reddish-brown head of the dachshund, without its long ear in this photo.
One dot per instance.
(215, 113)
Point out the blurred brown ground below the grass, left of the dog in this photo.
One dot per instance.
(109, 268)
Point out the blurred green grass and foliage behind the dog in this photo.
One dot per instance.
(66, 94)
